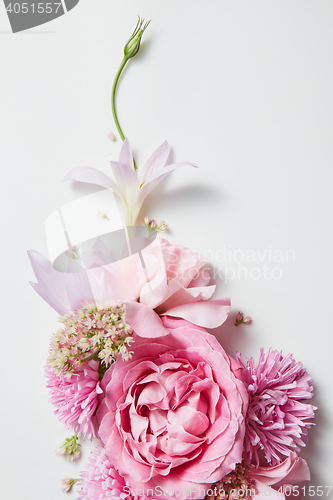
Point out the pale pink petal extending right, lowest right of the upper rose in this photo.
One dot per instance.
(210, 314)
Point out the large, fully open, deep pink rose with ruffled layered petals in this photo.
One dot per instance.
(173, 416)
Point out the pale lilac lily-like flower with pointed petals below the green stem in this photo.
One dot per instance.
(131, 186)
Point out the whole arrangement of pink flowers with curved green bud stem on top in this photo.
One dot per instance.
(133, 366)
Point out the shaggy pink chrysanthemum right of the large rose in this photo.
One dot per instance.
(277, 418)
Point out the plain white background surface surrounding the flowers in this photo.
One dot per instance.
(242, 88)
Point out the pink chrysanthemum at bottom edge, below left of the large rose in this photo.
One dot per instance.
(101, 481)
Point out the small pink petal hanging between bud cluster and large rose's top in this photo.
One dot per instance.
(144, 321)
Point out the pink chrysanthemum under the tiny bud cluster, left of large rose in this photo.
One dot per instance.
(75, 397)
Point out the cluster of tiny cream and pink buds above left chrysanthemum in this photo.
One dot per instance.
(96, 331)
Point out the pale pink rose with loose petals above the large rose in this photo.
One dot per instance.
(173, 282)
